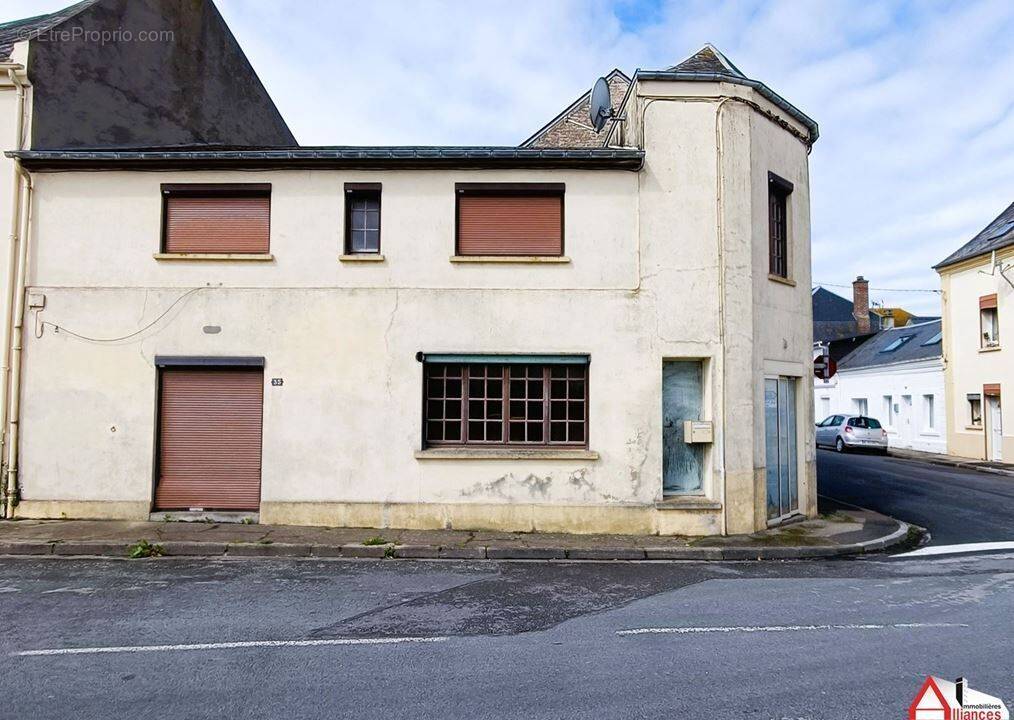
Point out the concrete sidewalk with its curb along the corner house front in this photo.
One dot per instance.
(843, 532)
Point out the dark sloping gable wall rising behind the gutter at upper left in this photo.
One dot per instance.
(194, 89)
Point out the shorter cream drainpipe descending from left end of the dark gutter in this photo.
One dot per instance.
(18, 323)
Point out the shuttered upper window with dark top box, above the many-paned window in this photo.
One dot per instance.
(510, 220)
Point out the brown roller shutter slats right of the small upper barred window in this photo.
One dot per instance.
(511, 225)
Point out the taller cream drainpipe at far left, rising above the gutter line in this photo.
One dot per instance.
(10, 492)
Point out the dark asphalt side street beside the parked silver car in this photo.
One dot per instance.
(956, 506)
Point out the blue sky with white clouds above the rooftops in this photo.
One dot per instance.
(915, 101)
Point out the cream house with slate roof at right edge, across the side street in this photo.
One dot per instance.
(978, 283)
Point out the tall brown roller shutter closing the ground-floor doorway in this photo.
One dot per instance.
(210, 440)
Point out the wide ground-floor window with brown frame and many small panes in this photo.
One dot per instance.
(508, 405)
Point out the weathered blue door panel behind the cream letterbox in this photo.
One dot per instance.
(682, 400)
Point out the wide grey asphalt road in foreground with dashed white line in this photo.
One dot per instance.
(844, 639)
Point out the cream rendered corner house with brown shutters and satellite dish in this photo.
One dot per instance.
(610, 339)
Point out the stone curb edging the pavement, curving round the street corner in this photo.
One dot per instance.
(291, 550)
